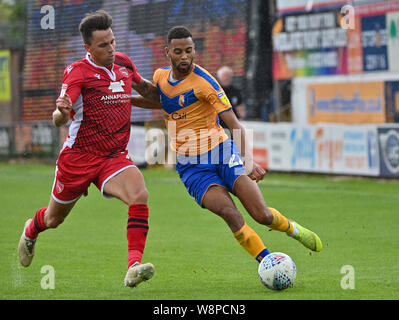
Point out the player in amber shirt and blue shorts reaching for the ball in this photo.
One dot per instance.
(210, 165)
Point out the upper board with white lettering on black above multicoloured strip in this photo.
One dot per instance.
(309, 44)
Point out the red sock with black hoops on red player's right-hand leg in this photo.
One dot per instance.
(137, 229)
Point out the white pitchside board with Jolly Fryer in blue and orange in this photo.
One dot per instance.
(341, 149)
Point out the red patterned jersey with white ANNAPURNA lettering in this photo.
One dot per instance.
(102, 108)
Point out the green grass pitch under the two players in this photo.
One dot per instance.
(194, 253)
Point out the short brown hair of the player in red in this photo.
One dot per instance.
(99, 20)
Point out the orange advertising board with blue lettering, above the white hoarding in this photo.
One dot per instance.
(346, 102)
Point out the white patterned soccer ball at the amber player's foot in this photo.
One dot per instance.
(277, 271)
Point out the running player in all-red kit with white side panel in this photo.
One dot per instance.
(95, 95)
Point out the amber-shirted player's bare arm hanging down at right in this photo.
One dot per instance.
(254, 170)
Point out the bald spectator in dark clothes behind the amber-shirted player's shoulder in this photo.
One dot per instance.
(225, 78)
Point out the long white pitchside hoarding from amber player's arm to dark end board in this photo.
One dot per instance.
(333, 149)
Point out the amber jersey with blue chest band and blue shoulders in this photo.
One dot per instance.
(191, 107)
